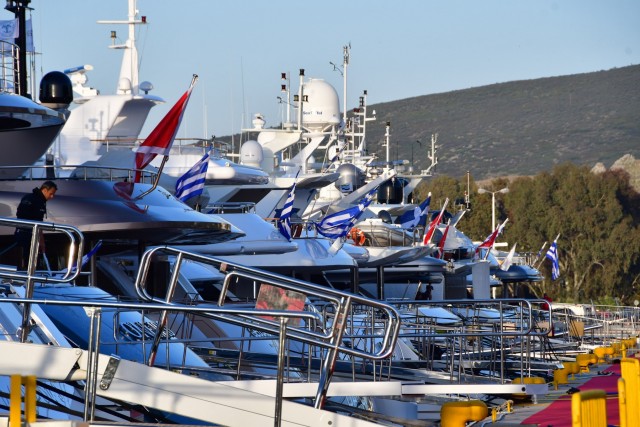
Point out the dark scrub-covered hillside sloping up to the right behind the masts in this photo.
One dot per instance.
(518, 128)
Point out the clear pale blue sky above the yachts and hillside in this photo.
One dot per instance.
(400, 49)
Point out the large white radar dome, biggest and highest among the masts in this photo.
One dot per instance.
(322, 106)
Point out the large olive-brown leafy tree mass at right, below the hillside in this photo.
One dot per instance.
(599, 243)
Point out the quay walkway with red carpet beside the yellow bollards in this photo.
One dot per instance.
(554, 408)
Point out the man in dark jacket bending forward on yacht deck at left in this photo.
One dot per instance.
(33, 207)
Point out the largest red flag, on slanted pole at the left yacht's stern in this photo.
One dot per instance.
(161, 137)
